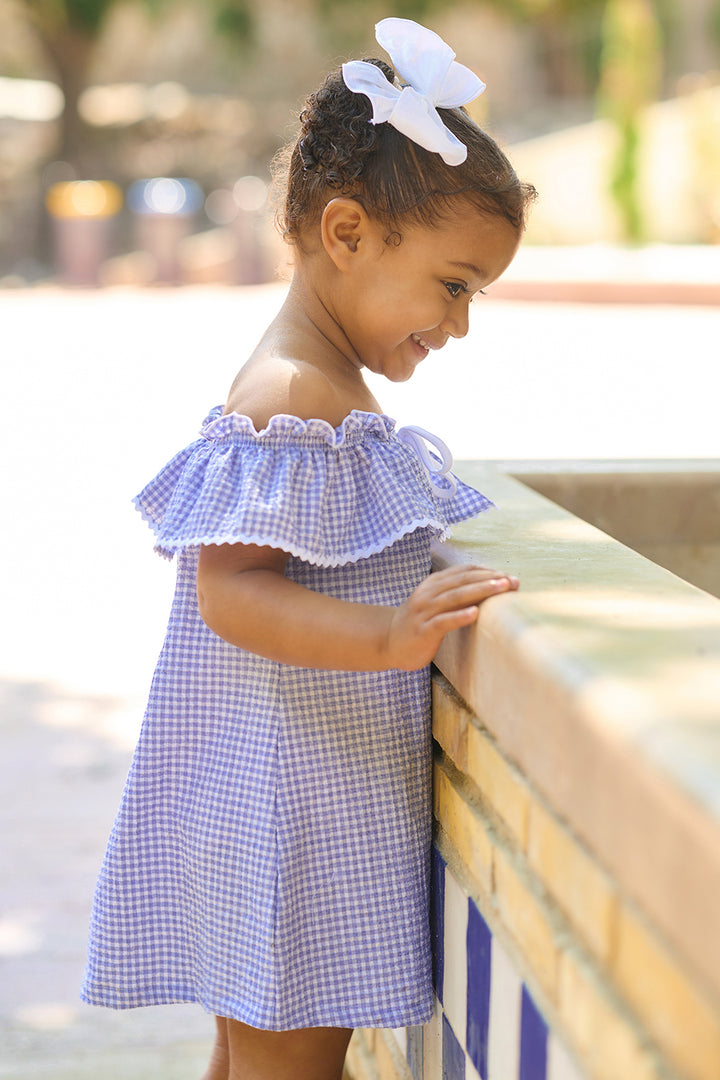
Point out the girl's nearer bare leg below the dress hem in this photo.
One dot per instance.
(313, 1054)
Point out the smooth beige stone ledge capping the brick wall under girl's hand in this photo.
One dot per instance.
(601, 680)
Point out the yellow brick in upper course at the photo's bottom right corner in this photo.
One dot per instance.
(677, 1014)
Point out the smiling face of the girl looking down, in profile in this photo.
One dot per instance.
(412, 299)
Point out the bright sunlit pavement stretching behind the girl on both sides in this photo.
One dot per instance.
(99, 390)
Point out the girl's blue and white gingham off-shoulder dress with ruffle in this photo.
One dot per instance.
(270, 857)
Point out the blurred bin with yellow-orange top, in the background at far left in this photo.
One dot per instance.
(83, 214)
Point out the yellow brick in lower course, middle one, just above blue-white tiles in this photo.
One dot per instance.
(527, 922)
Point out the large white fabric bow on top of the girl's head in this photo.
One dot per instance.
(434, 80)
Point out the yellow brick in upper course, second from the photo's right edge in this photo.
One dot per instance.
(581, 888)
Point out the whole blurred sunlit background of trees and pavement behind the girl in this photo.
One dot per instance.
(135, 140)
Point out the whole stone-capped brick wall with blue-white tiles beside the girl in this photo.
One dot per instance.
(577, 796)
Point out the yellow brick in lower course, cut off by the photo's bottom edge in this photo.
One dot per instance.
(604, 1038)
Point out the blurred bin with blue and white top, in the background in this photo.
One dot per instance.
(164, 209)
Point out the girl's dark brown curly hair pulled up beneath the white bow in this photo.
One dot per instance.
(341, 153)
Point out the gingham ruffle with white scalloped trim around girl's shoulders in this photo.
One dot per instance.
(325, 495)
